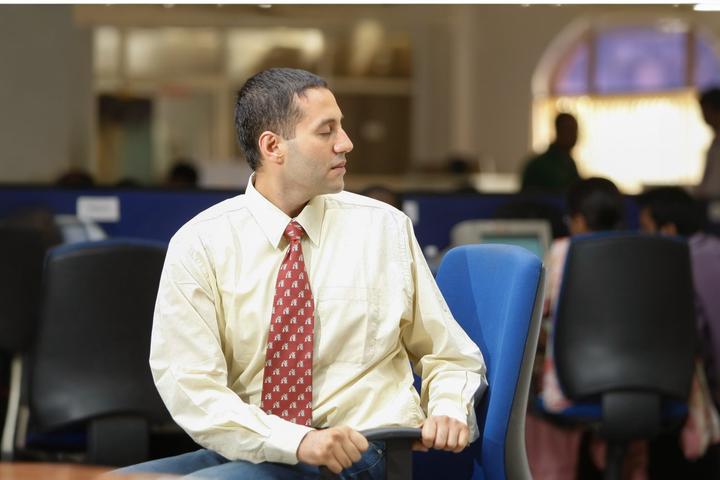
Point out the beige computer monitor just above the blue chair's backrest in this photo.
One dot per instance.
(534, 235)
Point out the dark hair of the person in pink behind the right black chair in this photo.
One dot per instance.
(599, 201)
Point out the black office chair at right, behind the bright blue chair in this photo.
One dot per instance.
(625, 336)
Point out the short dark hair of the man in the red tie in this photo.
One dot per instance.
(267, 102)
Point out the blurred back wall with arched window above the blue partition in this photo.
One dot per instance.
(120, 91)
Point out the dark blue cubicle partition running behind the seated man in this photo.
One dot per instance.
(157, 213)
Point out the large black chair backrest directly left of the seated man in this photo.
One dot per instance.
(93, 341)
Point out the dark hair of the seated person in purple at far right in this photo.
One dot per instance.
(672, 205)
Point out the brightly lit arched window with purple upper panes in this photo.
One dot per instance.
(633, 88)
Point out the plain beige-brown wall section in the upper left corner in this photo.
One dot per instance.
(45, 93)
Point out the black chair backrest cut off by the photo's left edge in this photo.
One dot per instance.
(22, 251)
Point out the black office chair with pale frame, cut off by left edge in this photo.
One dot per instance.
(22, 251)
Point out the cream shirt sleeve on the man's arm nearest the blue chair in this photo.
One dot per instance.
(451, 365)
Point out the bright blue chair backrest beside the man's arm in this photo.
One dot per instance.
(495, 294)
